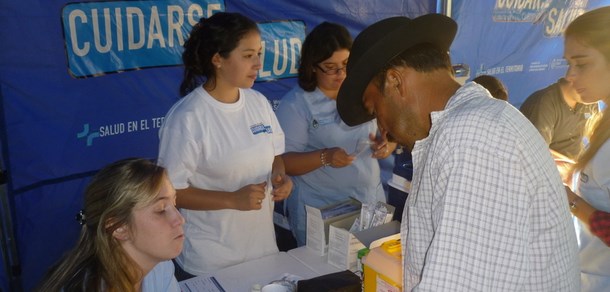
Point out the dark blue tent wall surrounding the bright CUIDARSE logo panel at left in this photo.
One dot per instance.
(48, 117)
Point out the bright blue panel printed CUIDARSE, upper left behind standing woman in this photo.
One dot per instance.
(106, 37)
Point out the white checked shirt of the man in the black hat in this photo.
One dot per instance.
(487, 209)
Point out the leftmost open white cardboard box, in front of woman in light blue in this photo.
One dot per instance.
(319, 220)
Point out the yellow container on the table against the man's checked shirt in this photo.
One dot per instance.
(383, 268)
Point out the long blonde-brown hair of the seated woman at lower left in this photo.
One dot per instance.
(98, 262)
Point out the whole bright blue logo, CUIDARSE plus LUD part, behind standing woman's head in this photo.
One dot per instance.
(110, 37)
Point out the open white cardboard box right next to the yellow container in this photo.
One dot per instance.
(344, 245)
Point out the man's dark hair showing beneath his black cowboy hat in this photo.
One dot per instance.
(424, 57)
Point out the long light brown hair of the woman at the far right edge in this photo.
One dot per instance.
(593, 29)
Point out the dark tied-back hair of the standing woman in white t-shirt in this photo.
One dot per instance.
(220, 34)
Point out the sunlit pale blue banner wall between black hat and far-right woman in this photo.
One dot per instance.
(519, 42)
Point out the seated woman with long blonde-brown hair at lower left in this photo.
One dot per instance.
(130, 232)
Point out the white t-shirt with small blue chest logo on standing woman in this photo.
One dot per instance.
(217, 146)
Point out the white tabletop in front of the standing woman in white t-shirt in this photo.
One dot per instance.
(261, 271)
